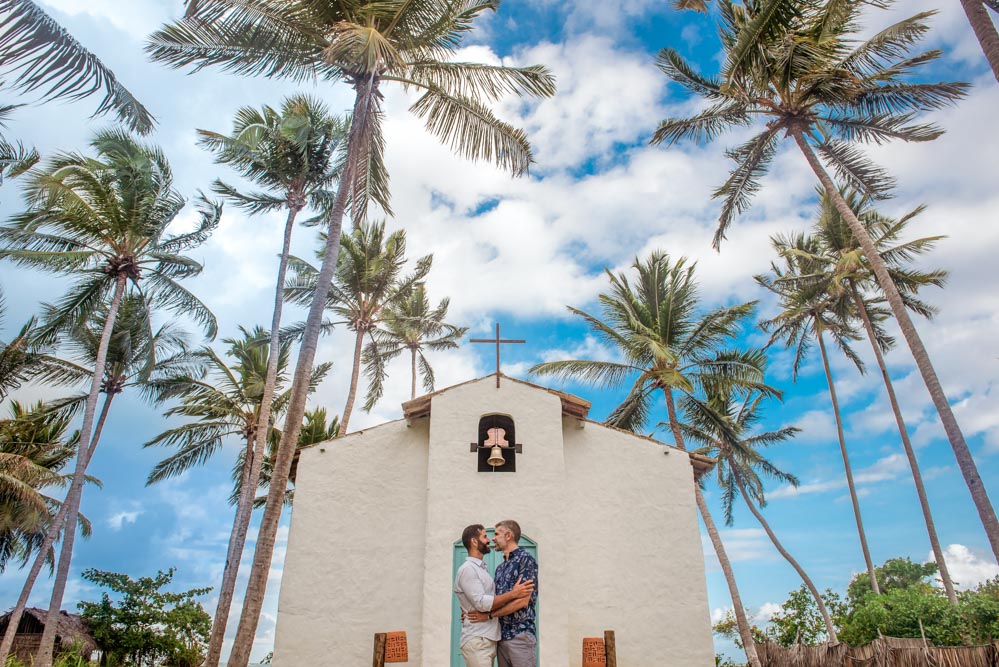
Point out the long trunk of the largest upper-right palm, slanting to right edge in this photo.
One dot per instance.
(986, 512)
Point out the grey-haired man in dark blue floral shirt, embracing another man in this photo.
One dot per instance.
(518, 625)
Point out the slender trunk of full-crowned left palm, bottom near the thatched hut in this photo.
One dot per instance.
(75, 493)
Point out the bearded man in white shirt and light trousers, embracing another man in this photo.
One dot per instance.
(477, 592)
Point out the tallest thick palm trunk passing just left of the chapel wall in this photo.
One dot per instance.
(257, 585)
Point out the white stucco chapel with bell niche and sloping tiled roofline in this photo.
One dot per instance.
(609, 515)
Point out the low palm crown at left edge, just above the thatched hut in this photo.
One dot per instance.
(34, 448)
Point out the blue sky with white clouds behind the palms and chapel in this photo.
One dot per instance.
(518, 251)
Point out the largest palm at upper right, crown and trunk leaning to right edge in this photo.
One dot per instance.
(793, 64)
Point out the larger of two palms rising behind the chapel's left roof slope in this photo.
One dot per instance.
(368, 279)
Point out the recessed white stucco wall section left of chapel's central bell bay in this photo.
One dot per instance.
(354, 548)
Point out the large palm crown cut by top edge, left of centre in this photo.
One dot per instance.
(364, 44)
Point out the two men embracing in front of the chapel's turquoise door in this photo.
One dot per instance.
(498, 617)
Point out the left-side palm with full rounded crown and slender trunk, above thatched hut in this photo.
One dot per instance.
(103, 220)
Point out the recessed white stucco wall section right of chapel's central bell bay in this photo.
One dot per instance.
(641, 572)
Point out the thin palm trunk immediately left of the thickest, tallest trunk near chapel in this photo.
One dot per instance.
(255, 452)
